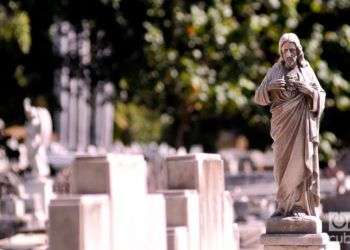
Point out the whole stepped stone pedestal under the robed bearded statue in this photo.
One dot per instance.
(296, 233)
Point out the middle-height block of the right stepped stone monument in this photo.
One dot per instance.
(182, 209)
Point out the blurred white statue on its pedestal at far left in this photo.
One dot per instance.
(38, 185)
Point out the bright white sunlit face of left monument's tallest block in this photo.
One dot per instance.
(128, 193)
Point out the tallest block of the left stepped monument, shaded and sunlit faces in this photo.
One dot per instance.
(123, 178)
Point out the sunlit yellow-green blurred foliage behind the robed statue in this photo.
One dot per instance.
(205, 58)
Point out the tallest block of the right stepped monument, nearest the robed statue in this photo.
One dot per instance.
(204, 173)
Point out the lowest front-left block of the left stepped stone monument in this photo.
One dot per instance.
(79, 222)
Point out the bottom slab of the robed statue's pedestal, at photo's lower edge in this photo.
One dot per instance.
(298, 242)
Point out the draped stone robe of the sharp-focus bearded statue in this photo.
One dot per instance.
(295, 132)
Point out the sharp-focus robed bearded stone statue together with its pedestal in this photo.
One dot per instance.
(296, 101)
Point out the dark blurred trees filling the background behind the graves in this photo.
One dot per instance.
(183, 70)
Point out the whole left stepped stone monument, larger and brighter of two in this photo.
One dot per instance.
(136, 219)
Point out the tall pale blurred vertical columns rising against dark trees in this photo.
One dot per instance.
(86, 108)
